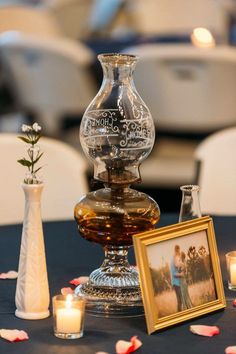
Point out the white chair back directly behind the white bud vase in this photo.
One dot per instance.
(64, 174)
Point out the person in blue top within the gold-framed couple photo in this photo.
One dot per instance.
(175, 276)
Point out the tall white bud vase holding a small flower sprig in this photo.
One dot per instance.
(32, 292)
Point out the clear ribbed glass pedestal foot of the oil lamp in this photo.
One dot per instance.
(113, 289)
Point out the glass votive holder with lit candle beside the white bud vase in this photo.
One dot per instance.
(68, 316)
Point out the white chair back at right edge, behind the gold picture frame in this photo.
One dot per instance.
(217, 173)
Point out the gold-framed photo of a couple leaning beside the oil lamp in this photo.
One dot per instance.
(179, 272)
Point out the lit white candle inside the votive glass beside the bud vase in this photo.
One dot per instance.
(68, 319)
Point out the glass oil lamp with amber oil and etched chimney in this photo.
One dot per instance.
(117, 133)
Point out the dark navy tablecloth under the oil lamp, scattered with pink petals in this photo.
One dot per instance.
(69, 256)
